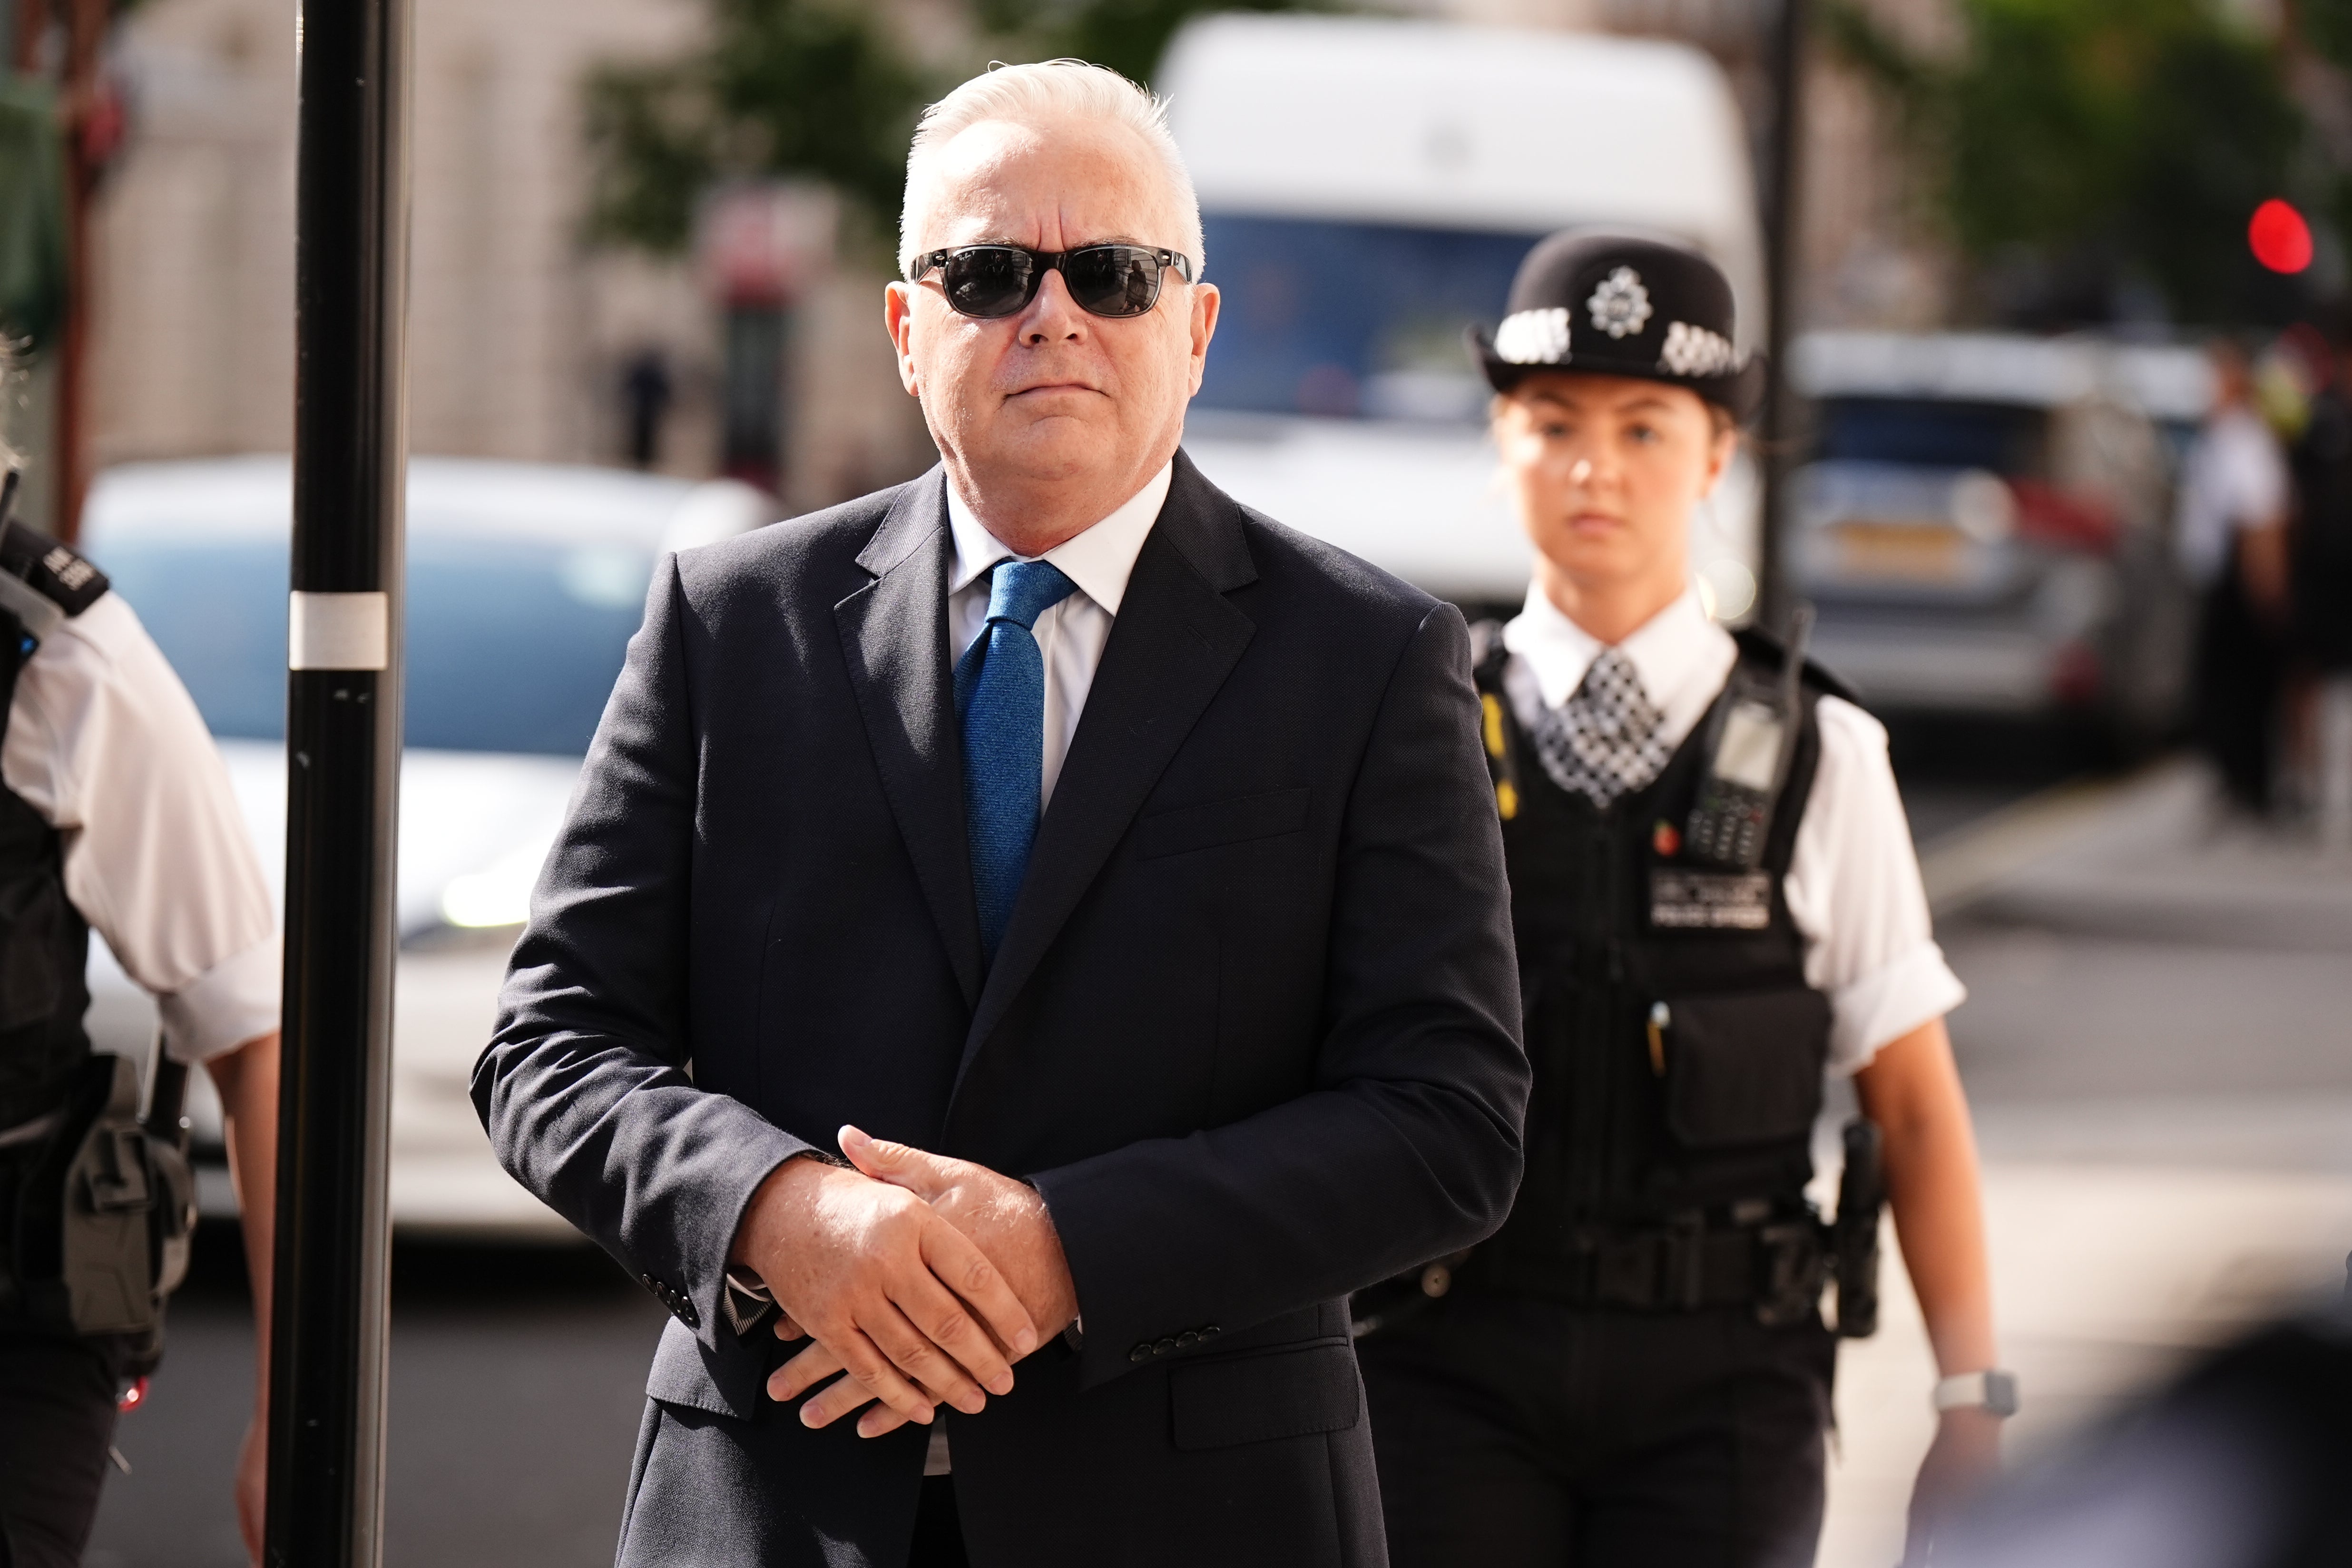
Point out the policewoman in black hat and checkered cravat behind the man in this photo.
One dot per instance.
(1718, 906)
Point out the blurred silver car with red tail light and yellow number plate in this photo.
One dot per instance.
(1984, 523)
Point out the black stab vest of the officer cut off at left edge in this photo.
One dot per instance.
(44, 939)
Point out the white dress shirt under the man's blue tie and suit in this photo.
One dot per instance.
(1071, 634)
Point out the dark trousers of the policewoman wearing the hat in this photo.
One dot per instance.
(1525, 1435)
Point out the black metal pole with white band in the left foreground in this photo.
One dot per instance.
(328, 1322)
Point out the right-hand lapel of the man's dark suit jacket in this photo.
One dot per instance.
(1170, 650)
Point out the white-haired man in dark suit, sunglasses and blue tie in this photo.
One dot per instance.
(1109, 869)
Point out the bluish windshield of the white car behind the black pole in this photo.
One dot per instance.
(512, 643)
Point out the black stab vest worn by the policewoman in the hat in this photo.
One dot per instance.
(1709, 1123)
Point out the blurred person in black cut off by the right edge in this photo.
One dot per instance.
(2320, 587)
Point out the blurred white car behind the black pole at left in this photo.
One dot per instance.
(523, 589)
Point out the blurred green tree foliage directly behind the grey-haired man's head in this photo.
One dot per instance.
(820, 88)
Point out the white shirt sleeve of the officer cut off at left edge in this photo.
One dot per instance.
(109, 749)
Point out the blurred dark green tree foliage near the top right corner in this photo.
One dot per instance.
(2104, 140)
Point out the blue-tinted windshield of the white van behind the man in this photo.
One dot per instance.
(1354, 319)
